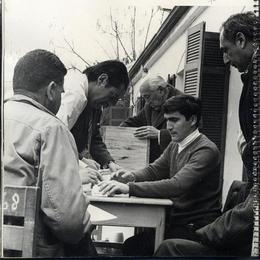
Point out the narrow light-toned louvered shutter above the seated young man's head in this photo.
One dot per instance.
(194, 54)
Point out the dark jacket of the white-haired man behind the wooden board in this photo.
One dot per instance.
(143, 118)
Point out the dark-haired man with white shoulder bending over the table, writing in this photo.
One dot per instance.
(86, 94)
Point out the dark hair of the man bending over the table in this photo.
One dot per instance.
(116, 71)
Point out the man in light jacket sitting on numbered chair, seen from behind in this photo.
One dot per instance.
(39, 149)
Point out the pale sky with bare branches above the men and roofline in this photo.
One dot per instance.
(54, 24)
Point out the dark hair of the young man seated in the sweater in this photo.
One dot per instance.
(186, 105)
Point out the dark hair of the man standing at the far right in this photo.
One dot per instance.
(241, 22)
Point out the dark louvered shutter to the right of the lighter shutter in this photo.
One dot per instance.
(214, 91)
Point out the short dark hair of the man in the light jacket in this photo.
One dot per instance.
(37, 69)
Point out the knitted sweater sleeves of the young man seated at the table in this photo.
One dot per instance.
(202, 163)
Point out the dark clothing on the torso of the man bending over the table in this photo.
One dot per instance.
(86, 132)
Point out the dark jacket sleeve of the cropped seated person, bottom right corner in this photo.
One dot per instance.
(232, 231)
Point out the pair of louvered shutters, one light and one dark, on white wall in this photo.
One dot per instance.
(207, 77)
